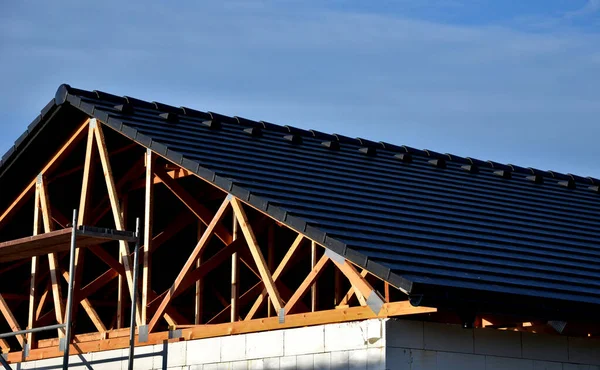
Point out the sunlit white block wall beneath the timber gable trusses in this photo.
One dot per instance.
(354, 345)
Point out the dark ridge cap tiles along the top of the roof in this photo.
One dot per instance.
(368, 147)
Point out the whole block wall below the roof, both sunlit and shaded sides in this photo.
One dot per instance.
(367, 345)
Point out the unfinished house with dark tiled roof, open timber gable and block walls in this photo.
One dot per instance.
(262, 246)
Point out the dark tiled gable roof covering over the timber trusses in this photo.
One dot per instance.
(438, 226)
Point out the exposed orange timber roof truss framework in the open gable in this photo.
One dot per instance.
(212, 265)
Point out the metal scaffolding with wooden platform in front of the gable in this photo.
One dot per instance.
(66, 341)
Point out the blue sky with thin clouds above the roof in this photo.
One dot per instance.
(514, 82)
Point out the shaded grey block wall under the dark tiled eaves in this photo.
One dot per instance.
(416, 345)
